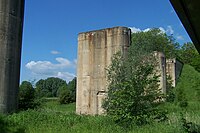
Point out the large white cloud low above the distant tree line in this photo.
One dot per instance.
(44, 69)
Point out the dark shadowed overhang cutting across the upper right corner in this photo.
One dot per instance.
(189, 13)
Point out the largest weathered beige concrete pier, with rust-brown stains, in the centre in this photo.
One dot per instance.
(95, 49)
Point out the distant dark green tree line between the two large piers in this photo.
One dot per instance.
(30, 93)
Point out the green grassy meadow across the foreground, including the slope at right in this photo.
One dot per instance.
(55, 118)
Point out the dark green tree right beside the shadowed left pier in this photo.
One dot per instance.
(26, 95)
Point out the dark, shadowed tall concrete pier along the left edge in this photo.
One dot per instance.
(11, 27)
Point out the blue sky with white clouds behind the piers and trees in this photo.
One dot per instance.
(51, 29)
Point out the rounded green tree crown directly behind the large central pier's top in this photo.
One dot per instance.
(156, 40)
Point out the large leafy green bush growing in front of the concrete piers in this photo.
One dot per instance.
(133, 91)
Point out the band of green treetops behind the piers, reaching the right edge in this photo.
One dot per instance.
(156, 40)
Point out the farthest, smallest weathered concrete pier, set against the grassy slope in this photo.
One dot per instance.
(173, 69)
